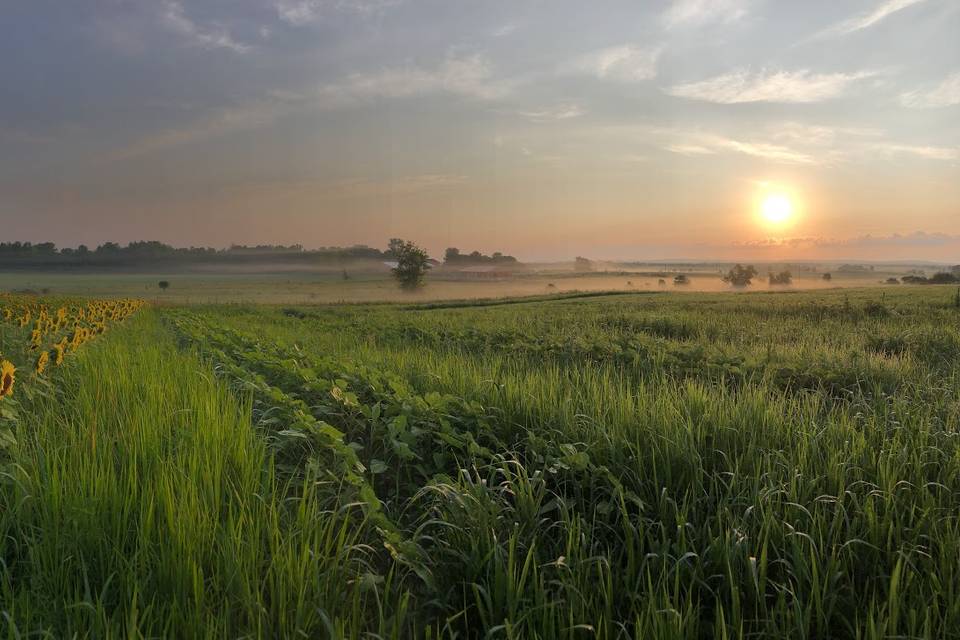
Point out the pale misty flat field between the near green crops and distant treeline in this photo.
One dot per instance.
(327, 286)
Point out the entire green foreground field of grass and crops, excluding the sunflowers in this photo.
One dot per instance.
(646, 465)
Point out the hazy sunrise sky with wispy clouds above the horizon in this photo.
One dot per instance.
(614, 129)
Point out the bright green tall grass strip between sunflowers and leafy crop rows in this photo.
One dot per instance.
(139, 503)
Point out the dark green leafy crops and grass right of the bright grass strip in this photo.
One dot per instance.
(512, 491)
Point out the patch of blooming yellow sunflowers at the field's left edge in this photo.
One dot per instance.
(56, 330)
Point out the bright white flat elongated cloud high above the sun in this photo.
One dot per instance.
(743, 86)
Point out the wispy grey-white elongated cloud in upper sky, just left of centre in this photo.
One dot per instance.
(470, 76)
